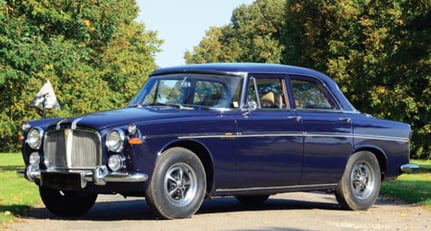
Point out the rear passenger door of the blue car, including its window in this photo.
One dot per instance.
(327, 131)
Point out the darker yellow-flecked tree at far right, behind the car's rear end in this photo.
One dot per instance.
(378, 52)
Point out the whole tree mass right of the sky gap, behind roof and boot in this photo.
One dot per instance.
(379, 52)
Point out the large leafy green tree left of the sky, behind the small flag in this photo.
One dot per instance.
(94, 53)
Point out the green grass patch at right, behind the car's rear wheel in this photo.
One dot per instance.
(412, 187)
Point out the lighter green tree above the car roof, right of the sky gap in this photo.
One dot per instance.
(252, 36)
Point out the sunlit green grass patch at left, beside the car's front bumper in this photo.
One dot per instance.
(17, 195)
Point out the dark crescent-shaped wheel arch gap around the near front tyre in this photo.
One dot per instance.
(203, 154)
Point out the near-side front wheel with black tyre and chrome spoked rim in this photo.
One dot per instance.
(178, 184)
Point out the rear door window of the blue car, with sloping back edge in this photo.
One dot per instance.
(311, 95)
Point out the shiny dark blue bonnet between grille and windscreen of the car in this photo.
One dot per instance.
(106, 119)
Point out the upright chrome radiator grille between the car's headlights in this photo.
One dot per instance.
(72, 149)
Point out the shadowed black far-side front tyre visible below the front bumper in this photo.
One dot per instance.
(67, 203)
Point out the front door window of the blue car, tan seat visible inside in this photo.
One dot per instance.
(268, 93)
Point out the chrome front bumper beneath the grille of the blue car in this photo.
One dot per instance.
(99, 176)
